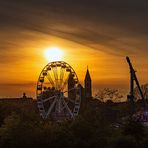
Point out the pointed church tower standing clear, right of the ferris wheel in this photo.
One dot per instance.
(88, 87)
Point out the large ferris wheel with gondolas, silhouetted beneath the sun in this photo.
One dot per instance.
(58, 92)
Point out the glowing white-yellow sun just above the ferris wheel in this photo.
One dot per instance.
(53, 54)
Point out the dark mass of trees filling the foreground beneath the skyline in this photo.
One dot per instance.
(95, 127)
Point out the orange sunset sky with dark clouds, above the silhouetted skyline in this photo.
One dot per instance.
(94, 33)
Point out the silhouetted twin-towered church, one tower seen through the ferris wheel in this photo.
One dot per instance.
(86, 91)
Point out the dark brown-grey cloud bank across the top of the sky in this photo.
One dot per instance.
(93, 23)
